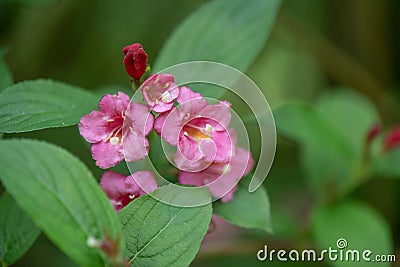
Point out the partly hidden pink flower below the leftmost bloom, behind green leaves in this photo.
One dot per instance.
(122, 189)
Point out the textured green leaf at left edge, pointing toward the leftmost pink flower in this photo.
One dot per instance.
(40, 104)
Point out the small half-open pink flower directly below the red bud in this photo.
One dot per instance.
(160, 91)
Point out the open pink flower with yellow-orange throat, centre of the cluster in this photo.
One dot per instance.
(198, 129)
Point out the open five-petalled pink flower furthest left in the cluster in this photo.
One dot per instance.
(119, 129)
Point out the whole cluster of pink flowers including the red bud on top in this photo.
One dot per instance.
(206, 149)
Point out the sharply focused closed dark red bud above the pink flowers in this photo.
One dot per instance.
(135, 60)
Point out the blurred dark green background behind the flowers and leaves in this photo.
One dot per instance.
(315, 45)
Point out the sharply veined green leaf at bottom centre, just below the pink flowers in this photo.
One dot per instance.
(158, 234)
